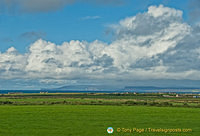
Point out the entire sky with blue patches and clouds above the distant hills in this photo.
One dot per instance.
(48, 43)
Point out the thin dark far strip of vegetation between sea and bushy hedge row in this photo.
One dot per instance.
(94, 95)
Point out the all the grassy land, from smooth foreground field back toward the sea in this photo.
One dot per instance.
(91, 115)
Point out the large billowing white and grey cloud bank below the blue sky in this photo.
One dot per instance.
(156, 44)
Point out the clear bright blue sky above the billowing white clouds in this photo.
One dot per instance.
(68, 23)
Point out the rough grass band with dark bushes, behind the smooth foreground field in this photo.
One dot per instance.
(152, 99)
